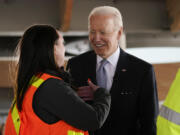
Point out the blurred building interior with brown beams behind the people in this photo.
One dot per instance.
(151, 32)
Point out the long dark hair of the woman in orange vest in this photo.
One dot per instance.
(36, 54)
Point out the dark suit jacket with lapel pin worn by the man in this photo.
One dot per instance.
(134, 105)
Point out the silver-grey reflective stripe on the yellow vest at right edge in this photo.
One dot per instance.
(170, 115)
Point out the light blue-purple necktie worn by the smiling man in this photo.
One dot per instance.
(101, 75)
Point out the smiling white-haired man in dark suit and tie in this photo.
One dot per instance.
(130, 80)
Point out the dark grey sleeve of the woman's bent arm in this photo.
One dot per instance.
(56, 99)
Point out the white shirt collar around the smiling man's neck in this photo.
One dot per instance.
(113, 59)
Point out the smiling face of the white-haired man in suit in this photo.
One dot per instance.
(103, 36)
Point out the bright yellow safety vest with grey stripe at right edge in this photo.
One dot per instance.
(168, 122)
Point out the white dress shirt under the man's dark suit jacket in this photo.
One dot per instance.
(110, 67)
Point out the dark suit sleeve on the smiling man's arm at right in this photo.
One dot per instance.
(148, 104)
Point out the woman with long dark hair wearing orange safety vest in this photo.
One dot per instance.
(45, 103)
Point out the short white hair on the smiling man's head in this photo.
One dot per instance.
(107, 10)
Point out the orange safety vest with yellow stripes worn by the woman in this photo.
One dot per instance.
(27, 122)
